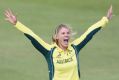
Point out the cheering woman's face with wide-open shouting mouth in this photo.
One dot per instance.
(63, 37)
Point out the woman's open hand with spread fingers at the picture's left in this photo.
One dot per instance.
(10, 17)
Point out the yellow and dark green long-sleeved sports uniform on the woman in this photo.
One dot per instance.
(62, 65)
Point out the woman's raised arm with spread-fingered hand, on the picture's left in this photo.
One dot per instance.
(38, 43)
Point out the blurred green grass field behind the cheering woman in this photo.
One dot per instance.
(19, 60)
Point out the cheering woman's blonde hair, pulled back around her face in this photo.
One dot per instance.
(57, 31)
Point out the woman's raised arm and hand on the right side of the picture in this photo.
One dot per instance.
(87, 36)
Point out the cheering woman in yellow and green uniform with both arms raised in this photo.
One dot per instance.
(61, 56)
